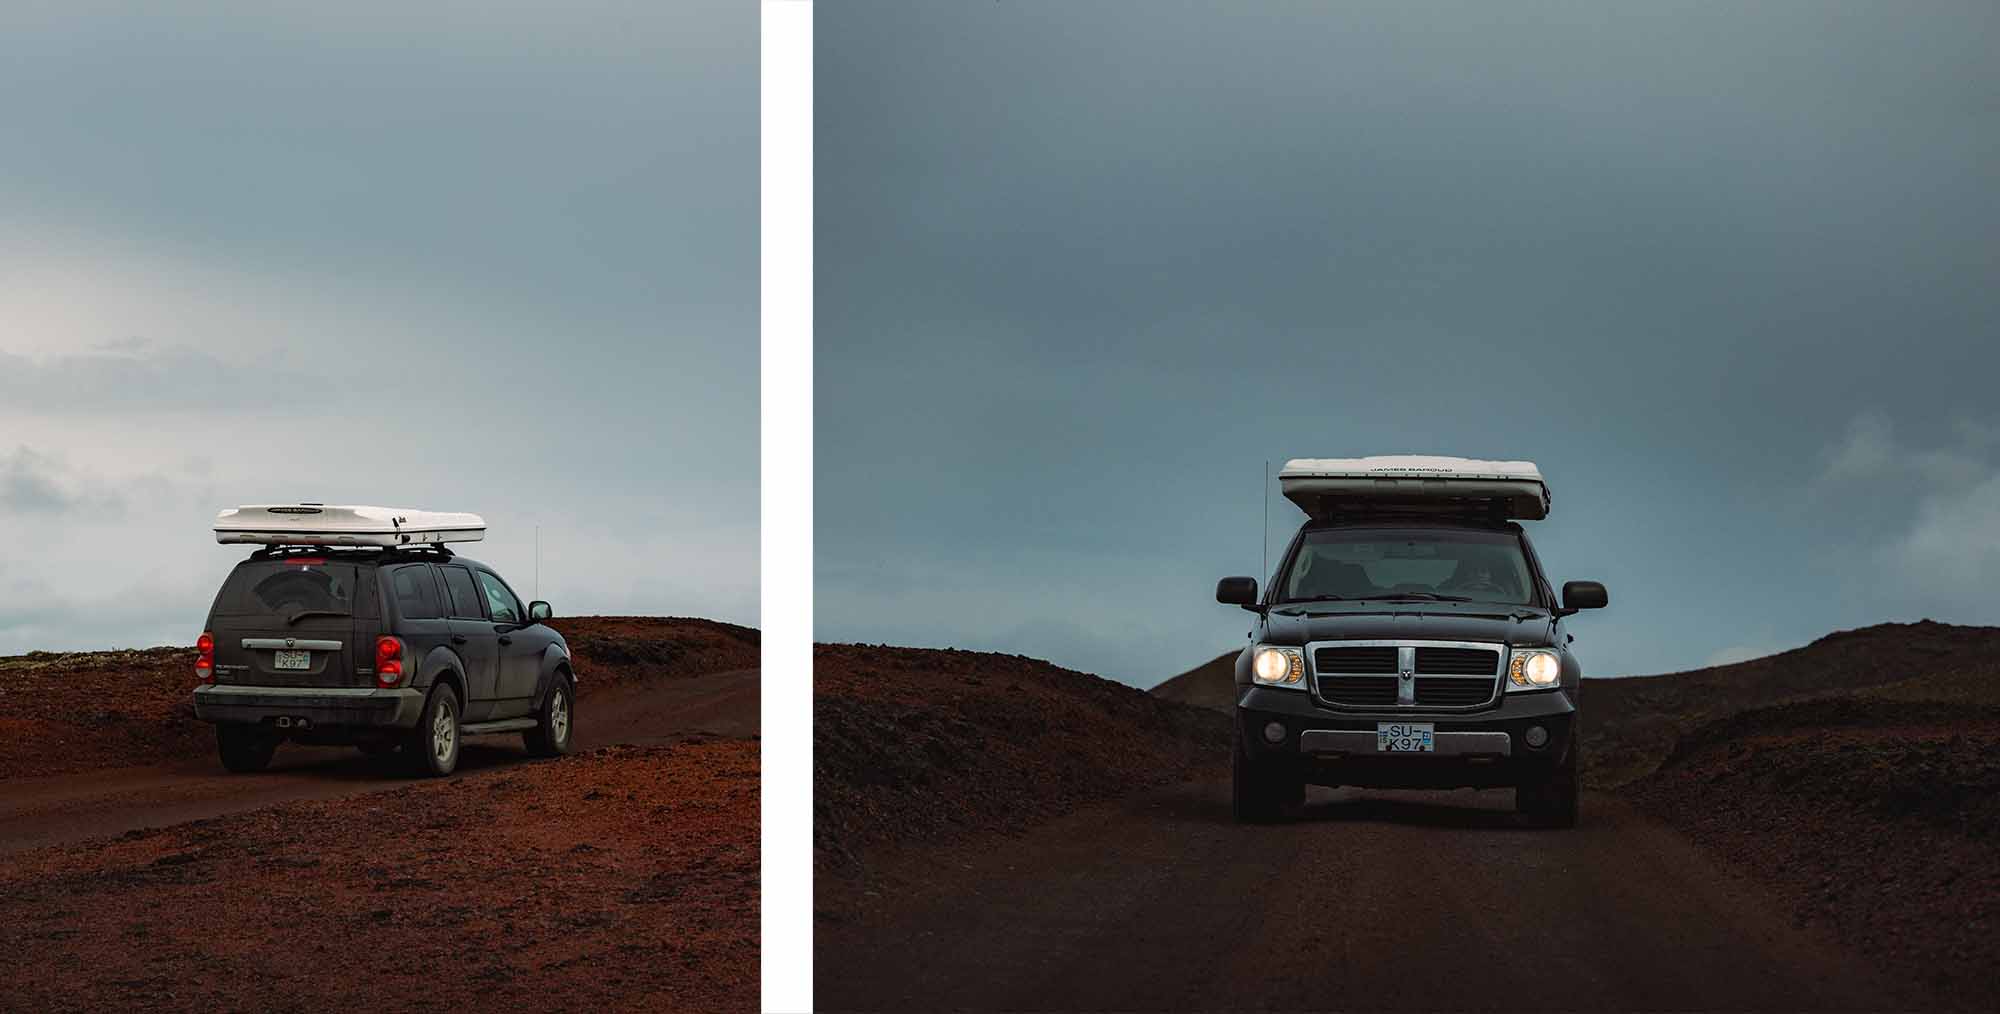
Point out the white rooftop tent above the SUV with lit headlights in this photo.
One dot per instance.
(1415, 483)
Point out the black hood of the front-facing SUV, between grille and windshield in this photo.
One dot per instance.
(1409, 621)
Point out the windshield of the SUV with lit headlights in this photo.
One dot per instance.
(1419, 563)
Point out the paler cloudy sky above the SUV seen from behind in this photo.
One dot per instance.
(473, 257)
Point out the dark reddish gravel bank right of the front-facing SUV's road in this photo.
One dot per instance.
(1877, 819)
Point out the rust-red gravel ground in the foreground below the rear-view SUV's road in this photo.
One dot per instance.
(625, 879)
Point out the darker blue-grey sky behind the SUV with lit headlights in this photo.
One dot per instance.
(1725, 271)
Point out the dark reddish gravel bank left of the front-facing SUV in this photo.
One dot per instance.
(919, 747)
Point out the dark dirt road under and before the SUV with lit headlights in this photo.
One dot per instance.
(1417, 901)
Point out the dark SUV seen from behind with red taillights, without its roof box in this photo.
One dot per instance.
(401, 649)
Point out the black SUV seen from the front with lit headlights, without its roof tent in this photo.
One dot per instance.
(1401, 651)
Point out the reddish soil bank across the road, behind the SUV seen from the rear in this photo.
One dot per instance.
(83, 711)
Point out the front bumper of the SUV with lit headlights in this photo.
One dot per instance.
(1339, 749)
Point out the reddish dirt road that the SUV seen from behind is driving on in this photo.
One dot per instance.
(73, 807)
